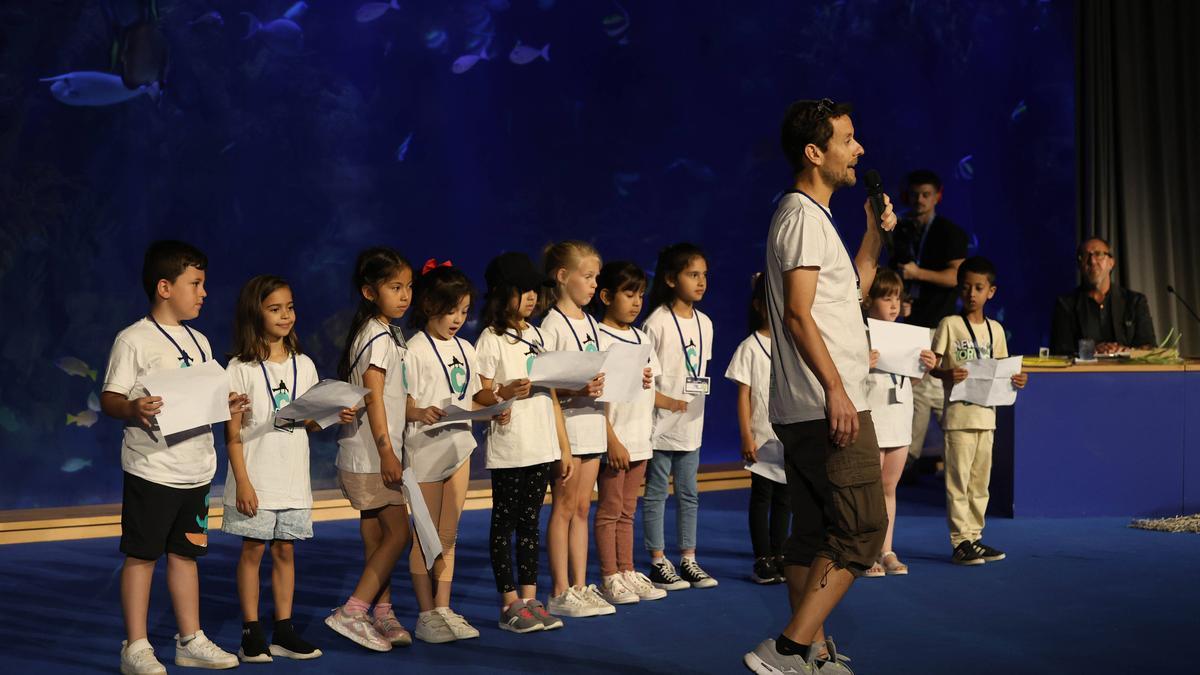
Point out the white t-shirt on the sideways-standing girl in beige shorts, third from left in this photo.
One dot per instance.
(382, 347)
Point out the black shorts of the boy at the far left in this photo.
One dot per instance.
(158, 519)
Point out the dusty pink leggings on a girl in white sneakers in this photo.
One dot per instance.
(615, 517)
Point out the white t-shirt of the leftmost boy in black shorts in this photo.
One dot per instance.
(182, 461)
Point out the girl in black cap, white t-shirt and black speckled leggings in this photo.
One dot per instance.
(523, 455)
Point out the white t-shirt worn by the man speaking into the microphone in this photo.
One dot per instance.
(803, 235)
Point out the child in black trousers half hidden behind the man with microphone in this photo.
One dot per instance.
(770, 507)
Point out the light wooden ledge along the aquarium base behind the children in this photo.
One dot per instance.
(95, 522)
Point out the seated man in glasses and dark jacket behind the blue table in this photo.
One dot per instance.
(1118, 319)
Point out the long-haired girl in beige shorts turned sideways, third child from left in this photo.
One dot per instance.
(370, 449)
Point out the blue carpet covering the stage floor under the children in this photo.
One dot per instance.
(1075, 596)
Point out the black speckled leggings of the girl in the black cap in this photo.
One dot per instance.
(518, 495)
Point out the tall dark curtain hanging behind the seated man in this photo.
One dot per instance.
(1139, 126)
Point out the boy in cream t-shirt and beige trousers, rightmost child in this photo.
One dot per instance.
(970, 428)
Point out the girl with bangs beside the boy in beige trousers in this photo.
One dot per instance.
(890, 398)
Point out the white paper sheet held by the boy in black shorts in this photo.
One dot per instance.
(191, 397)
